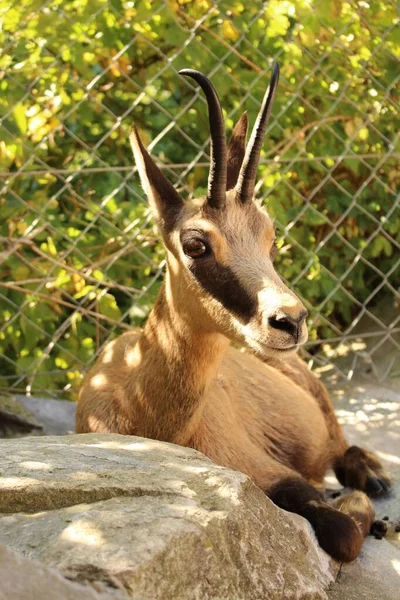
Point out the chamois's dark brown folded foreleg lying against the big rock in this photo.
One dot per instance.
(340, 530)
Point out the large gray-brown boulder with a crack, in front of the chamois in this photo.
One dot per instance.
(140, 518)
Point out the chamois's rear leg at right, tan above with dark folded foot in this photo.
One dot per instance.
(354, 467)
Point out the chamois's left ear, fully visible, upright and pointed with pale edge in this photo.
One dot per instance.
(163, 198)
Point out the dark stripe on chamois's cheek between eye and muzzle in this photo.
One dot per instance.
(223, 285)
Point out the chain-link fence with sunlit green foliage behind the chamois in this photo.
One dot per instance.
(80, 258)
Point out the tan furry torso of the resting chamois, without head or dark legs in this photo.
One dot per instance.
(241, 412)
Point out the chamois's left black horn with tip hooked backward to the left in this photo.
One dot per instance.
(216, 194)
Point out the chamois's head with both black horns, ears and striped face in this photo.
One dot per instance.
(221, 248)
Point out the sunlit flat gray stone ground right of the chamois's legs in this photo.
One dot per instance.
(370, 414)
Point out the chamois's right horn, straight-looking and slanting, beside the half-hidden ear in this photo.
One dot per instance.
(248, 172)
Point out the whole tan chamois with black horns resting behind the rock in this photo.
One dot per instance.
(260, 412)
